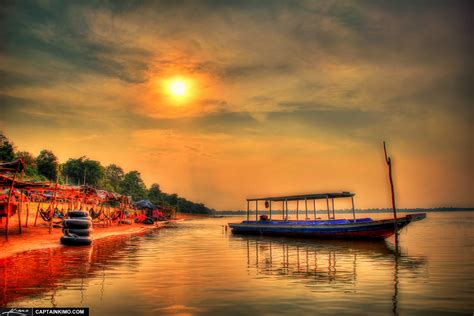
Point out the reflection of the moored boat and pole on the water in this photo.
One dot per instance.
(328, 265)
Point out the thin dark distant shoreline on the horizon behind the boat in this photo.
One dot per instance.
(346, 211)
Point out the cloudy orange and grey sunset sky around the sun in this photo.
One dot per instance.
(281, 97)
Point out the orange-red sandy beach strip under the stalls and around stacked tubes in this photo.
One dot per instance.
(36, 238)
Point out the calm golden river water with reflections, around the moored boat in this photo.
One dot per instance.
(198, 268)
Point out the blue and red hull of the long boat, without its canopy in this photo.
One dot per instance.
(374, 230)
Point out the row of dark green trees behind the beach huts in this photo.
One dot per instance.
(84, 171)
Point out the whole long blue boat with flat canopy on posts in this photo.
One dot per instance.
(330, 228)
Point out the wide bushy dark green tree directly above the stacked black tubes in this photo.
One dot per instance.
(80, 169)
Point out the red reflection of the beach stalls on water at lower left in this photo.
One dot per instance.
(46, 271)
